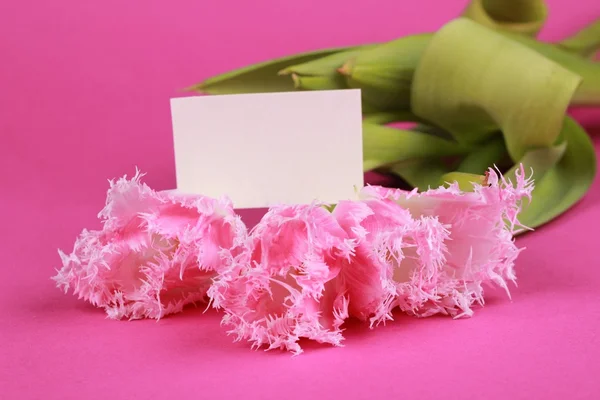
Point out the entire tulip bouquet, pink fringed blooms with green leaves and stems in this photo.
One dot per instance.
(482, 92)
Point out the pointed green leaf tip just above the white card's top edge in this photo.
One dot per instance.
(262, 77)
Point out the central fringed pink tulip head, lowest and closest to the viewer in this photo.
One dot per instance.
(284, 286)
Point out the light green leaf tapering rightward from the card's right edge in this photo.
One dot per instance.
(384, 145)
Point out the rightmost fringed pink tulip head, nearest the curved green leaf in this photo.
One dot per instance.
(479, 248)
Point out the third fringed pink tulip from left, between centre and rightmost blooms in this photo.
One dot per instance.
(396, 261)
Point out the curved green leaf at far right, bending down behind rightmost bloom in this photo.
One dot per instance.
(559, 184)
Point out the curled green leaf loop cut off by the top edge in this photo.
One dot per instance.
(520, 16)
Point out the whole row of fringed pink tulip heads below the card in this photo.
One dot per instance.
(303, 270)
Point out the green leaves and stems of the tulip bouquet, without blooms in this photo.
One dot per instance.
(482, 92)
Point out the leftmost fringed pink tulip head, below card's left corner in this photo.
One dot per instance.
(156, 252)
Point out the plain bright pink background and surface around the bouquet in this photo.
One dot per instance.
(84, 97)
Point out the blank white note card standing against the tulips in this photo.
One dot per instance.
(270, 148)
